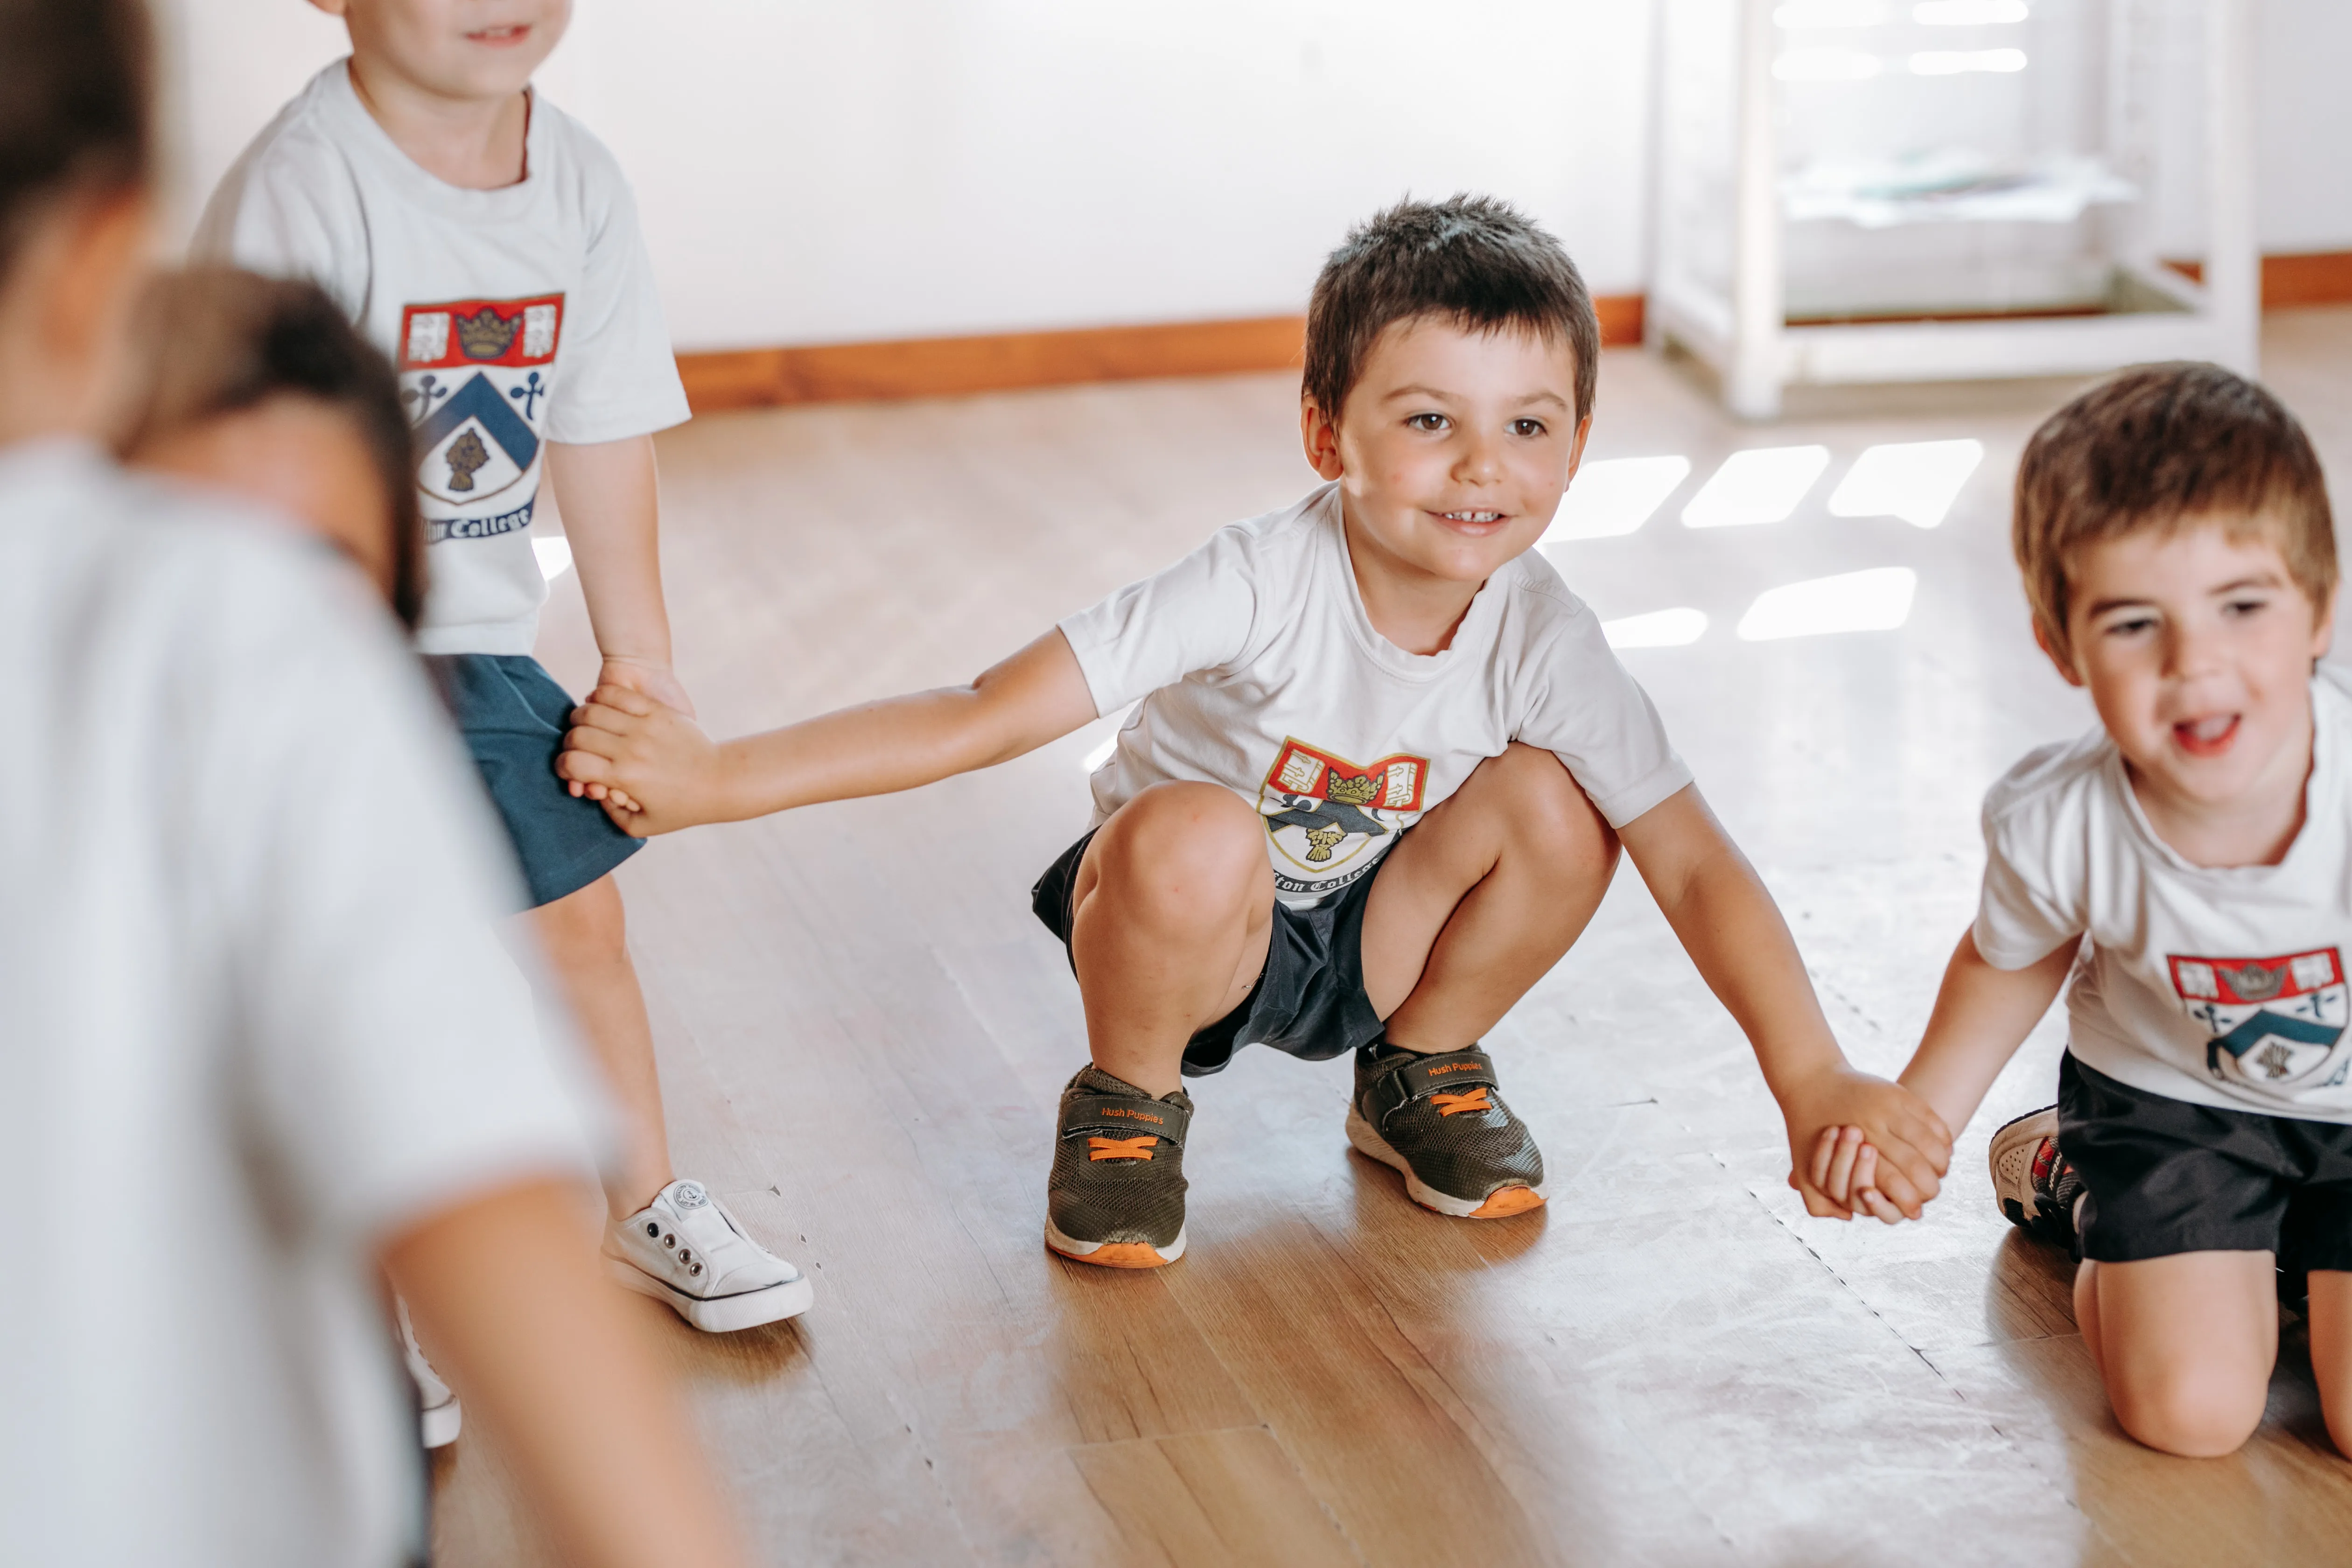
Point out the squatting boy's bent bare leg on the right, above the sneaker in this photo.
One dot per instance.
(1481, 899)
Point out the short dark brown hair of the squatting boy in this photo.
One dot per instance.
(1471, 260)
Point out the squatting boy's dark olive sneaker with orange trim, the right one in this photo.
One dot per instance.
(1443, 1125)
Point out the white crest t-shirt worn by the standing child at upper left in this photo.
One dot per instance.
(516, 316)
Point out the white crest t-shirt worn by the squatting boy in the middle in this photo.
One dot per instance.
(1259, 671)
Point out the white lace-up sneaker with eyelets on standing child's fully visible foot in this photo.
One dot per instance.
(688, 1252)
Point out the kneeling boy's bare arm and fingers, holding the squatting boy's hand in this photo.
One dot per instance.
(1982, 1017)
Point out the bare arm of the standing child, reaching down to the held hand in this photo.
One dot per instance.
(610, 500)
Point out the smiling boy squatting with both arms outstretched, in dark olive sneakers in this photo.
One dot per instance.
(1377, 777)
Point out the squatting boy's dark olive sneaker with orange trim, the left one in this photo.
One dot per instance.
(1116, 1195)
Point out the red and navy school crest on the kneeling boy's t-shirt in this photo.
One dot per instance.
(2276, 1021)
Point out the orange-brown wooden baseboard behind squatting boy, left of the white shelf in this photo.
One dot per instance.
(1015, 361)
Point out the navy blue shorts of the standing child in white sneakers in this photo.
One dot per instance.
(514, 718)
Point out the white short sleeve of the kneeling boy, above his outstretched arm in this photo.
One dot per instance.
(2036, 876)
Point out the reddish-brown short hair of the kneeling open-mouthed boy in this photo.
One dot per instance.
(2163, 448)
